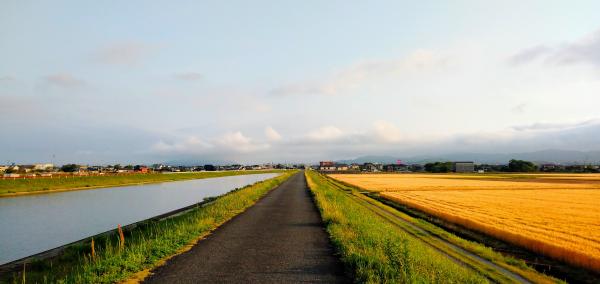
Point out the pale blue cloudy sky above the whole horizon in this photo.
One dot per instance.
(102, 82)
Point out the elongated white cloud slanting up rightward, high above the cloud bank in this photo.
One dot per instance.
(362, 73)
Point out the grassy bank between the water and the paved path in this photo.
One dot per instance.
(145, 246)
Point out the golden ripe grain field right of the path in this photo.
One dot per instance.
(554, 214)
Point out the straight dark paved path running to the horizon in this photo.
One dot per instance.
(279, 239)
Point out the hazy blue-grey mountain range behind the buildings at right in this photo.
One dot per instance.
(540, 157)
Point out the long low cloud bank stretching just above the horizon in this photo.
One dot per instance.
(333, 143)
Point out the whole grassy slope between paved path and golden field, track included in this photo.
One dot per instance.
(380, 244)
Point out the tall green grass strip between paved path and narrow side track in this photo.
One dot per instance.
(375, 251)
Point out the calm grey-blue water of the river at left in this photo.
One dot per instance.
(36, 223)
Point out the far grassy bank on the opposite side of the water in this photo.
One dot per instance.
(10, 187)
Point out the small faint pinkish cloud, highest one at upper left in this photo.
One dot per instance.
(124, 53)
